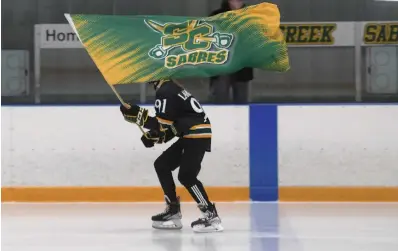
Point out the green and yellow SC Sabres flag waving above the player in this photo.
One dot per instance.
(137, 49)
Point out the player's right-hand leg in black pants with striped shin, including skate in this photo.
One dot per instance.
(194, 151)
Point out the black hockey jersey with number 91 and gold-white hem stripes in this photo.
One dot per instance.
(176, 107)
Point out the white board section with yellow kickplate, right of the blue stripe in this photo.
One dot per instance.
(339, 153)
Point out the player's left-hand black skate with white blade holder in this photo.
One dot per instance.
(170, 218)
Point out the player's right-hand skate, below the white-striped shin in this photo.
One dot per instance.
(210, 221)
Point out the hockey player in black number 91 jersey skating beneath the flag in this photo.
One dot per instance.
(178, 114)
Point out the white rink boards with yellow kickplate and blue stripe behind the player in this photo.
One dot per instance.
(259, 152)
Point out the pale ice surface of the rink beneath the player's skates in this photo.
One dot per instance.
(254, 227)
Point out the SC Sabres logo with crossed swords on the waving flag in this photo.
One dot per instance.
(189, 43)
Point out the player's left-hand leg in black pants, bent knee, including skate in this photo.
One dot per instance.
(168, 161)
